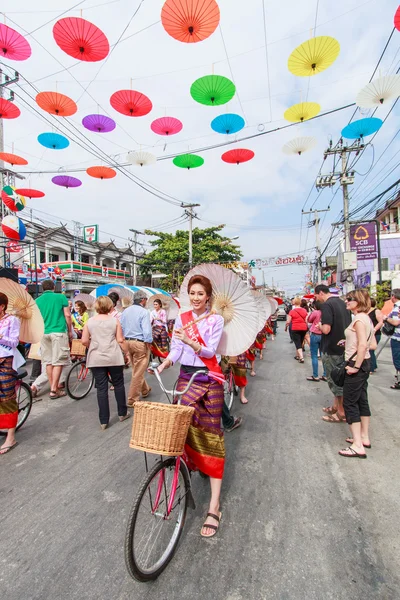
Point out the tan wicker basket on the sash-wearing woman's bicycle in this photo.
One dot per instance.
(160, 428)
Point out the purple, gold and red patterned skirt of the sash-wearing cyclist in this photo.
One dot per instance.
(205, 445)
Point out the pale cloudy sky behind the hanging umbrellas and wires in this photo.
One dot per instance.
(261, 200)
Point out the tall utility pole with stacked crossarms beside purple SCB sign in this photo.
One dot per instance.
(345, 178)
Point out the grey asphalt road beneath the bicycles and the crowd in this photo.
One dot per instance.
(299, 522)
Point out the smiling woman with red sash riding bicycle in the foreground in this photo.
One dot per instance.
(194, 344)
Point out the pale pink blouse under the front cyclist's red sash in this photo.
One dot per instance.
(210, 329)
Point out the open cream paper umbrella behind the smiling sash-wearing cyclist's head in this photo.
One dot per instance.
(233, 301)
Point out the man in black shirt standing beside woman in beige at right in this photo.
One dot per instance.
(334, 319)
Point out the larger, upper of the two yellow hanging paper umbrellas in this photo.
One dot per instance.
(313, 56)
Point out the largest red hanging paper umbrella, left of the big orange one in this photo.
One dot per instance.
(81, 39)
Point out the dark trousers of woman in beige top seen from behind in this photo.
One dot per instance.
(117, 378)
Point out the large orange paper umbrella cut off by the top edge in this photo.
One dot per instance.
(190, 20)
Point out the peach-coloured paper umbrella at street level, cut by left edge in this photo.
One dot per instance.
(22, 305)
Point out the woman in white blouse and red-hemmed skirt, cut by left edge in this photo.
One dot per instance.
(9, 339)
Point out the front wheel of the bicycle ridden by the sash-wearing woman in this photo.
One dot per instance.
(152, 534)
